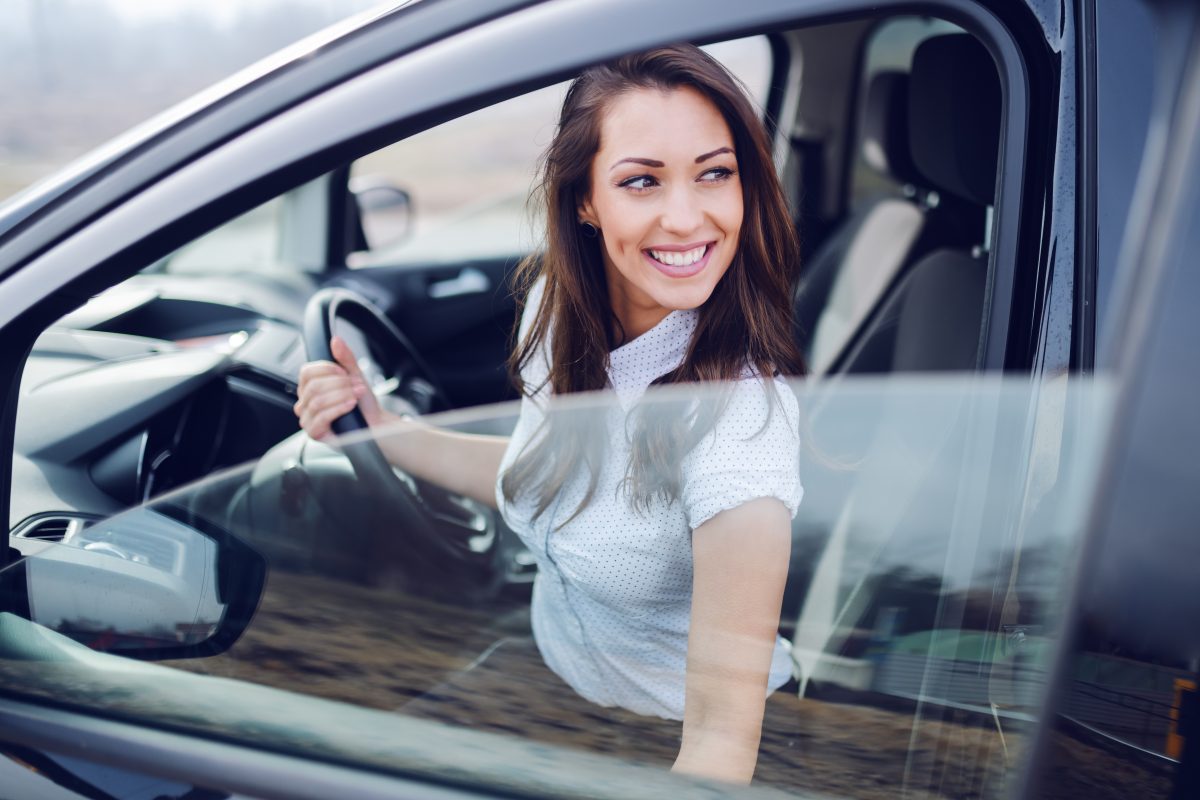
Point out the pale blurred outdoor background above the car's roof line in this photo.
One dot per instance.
(79, 73)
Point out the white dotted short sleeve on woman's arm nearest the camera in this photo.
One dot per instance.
(753, 452)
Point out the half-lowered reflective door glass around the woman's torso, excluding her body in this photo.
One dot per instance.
(921, 609)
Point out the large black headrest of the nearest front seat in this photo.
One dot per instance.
(955, 110)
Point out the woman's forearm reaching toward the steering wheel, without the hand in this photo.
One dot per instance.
(464, 464)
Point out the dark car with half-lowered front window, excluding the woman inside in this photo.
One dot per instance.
(991, 591)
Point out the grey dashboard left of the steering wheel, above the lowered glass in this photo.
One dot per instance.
(151, 387)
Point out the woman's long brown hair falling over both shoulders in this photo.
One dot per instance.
(746, 324)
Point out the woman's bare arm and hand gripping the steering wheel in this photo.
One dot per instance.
(459, 462)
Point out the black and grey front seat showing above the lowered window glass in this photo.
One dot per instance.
(921, 306)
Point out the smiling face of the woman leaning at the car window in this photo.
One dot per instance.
(668, 200)
